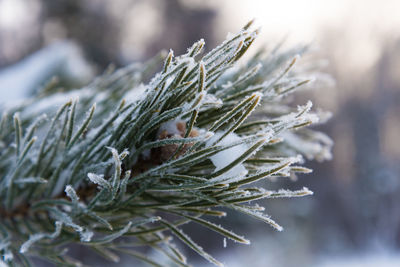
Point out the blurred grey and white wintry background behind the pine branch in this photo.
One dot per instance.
(354, 217)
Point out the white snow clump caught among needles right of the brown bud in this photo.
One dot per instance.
(225, 157)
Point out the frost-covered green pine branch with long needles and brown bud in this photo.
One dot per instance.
(123, 164)
